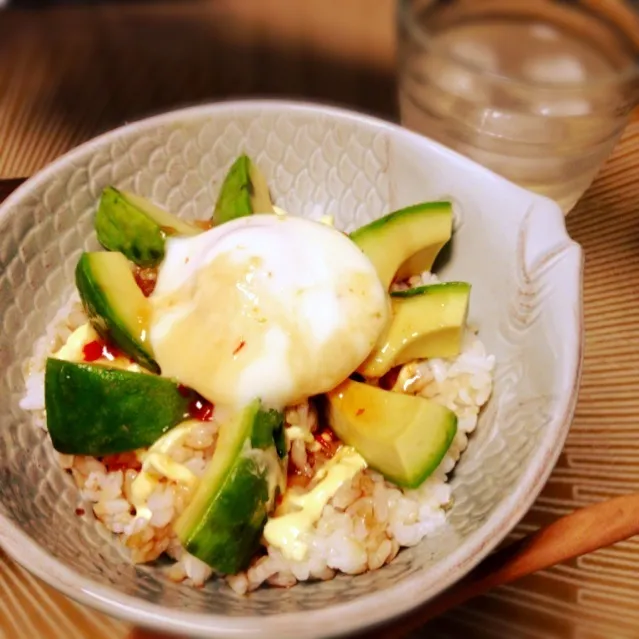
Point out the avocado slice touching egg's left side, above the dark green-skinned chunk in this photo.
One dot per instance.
(116, 306)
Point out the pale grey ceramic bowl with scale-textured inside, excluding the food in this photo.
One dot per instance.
(526, 299)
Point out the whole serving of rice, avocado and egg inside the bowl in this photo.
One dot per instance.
(260, 396)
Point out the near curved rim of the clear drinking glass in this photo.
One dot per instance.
(406, 16)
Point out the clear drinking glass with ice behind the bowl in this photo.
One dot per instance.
(536, 90)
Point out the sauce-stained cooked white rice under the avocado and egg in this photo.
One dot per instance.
(365, 523)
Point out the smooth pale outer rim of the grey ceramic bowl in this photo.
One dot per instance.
(365, 611)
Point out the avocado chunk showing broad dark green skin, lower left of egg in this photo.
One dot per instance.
(96, 410)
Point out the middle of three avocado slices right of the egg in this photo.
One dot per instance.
(427, 321)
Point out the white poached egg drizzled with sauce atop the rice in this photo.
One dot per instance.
(276, 307)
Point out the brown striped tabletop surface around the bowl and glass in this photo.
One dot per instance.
(68, 73)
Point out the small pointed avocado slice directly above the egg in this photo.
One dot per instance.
(244, 192)
